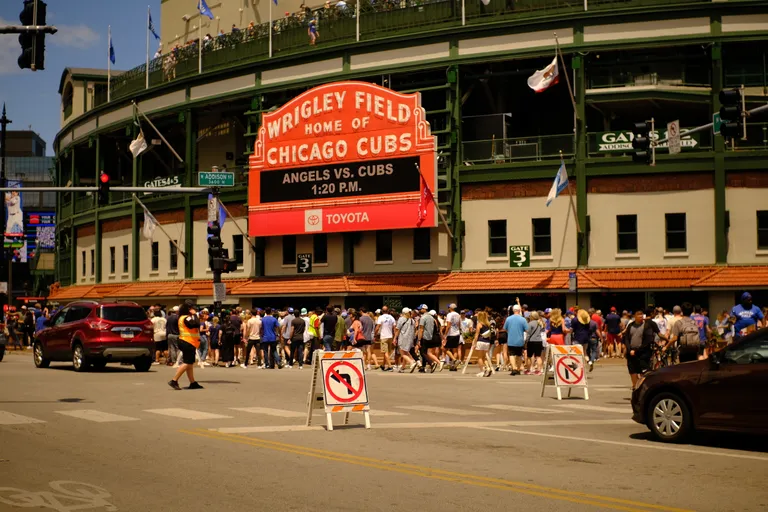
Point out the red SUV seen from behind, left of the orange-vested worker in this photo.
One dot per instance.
(96, 333)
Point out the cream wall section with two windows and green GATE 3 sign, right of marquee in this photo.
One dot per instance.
(518, 213)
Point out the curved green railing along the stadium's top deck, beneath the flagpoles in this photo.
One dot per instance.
(378, 18)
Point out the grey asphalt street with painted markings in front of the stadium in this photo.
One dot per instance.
(121, 440)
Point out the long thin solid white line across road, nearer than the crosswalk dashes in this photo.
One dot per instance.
(449, 424)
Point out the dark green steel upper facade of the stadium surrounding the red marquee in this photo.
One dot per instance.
(664, 67)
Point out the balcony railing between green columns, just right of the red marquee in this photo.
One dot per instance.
(502, 151)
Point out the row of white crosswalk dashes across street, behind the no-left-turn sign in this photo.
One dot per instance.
(229, 415)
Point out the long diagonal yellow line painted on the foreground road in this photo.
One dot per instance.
(439, 474)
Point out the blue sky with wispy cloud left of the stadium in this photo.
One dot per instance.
(32, 97)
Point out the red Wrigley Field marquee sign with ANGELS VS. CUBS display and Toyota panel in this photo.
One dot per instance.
(345, 156)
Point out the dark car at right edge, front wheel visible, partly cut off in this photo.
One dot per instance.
(724, 392)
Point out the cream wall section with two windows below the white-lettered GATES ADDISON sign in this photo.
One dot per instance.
(650, 209)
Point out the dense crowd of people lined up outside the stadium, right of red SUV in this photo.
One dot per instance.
(425, 340)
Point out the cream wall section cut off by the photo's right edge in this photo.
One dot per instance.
(743, 204)
